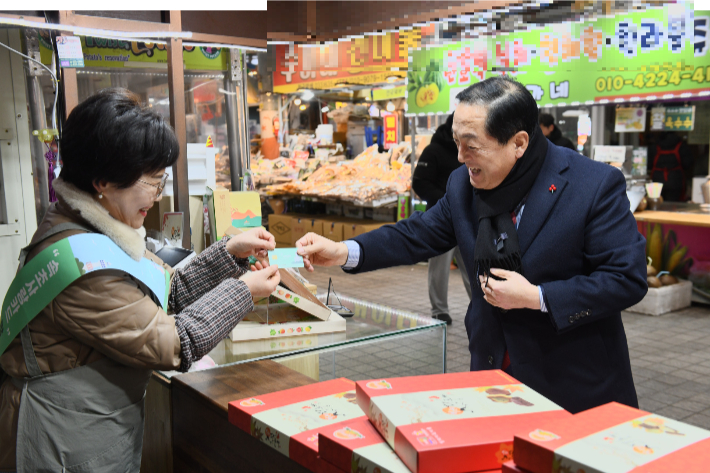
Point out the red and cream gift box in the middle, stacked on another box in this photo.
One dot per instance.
(456, 422)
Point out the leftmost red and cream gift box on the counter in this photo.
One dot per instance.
(289, 420)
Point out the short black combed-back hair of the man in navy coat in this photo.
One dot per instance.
(511, 107)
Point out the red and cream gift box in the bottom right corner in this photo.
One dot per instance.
(613, 438)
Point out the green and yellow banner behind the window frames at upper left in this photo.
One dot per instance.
(100, 52)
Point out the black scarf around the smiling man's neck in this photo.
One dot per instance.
(497, 242)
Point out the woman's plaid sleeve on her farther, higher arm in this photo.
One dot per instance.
(203, 273)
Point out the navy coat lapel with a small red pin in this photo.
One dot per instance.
(541, 201)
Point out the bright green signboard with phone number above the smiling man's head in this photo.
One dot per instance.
(655, 54)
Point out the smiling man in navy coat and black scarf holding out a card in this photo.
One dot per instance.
(547, 234)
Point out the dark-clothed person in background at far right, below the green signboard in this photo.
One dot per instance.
(670, 162)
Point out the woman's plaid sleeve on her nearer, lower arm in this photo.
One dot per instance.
(202, 325)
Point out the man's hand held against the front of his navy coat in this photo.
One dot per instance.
(513, 293)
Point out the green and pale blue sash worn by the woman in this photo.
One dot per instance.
(62, 263)
